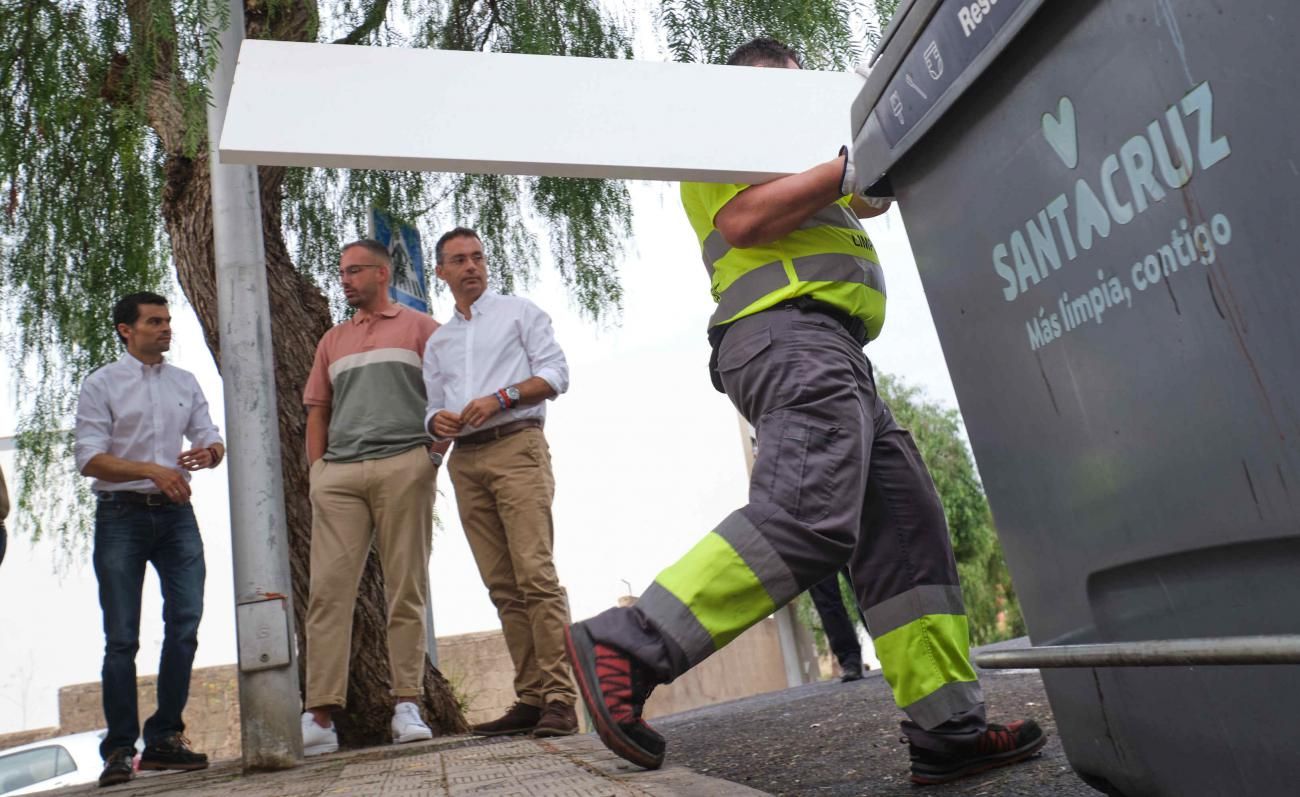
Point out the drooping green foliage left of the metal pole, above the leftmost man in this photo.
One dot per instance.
(81, 181)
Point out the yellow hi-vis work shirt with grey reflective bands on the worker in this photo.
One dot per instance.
(851, 283)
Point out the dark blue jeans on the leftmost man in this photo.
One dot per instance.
(127, 538)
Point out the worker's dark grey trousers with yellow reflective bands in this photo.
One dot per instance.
(835, 482)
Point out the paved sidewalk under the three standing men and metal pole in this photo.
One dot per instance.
(578, 766)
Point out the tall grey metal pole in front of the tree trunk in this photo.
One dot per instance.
(270, 700)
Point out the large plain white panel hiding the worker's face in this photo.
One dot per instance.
(443, 111)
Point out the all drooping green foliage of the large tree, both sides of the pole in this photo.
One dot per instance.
(103, 107)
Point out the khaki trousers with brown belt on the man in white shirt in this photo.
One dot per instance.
(505, 491)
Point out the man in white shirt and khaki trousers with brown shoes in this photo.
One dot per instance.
(488, 372)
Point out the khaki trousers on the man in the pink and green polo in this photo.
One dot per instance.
(391, 501)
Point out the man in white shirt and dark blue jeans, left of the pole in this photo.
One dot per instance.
(131, 418)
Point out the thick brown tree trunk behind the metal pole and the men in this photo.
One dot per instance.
(300, 318)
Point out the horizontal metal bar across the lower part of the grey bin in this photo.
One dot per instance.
(1284, 649)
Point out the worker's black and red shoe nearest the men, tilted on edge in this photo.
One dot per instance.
(616, 688)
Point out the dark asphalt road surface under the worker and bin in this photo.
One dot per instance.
(842, 740)
